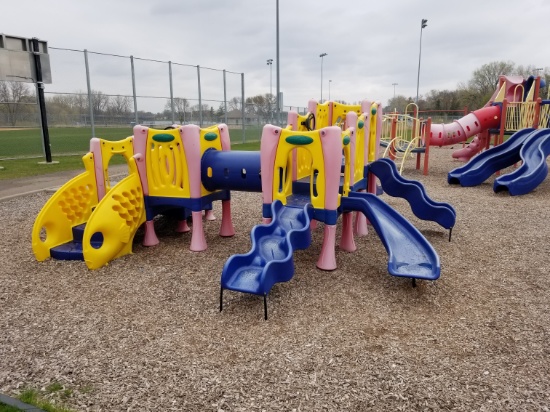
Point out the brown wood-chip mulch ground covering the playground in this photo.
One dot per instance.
(145, 332)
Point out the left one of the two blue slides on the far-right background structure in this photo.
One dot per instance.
(485, 164)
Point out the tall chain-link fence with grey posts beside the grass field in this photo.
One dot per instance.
(104, 95)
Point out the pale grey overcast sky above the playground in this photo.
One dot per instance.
(369, 44)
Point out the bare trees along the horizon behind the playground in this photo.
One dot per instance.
(18, 102)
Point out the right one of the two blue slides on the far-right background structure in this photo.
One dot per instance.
(534, 169)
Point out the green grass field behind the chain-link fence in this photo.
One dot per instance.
(21, 150)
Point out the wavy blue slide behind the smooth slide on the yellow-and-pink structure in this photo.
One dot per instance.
(422, 206)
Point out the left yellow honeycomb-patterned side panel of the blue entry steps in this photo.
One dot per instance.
(70, 206)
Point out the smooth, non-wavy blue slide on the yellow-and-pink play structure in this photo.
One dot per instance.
(410, 254)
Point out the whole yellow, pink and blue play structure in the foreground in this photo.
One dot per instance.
(306, 173)
